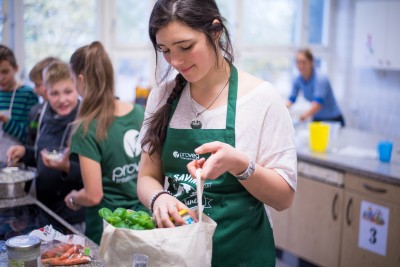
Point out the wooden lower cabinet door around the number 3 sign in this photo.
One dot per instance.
(351, 254)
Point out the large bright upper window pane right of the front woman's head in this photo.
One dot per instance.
(269, 22)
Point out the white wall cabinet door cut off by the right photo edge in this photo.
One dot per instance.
(393, 36)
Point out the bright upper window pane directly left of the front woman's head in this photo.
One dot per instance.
(132, 20)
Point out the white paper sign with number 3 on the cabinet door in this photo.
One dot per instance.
(373, 230)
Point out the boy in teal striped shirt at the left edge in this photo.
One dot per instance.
(16, 101)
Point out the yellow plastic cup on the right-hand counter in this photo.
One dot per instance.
(319, 136)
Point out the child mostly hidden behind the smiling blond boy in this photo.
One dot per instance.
(40, 89)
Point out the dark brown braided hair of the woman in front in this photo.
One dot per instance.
(199, 15)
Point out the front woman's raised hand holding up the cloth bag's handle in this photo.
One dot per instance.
(224, 158)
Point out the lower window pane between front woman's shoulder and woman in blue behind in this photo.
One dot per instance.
(276, 70)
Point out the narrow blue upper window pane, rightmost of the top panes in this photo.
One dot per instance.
(316, 21)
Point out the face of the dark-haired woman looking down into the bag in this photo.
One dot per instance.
(186, 50)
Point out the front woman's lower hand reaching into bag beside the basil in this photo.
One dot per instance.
(167, 206)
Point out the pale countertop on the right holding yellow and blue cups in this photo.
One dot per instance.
(352, 151)
